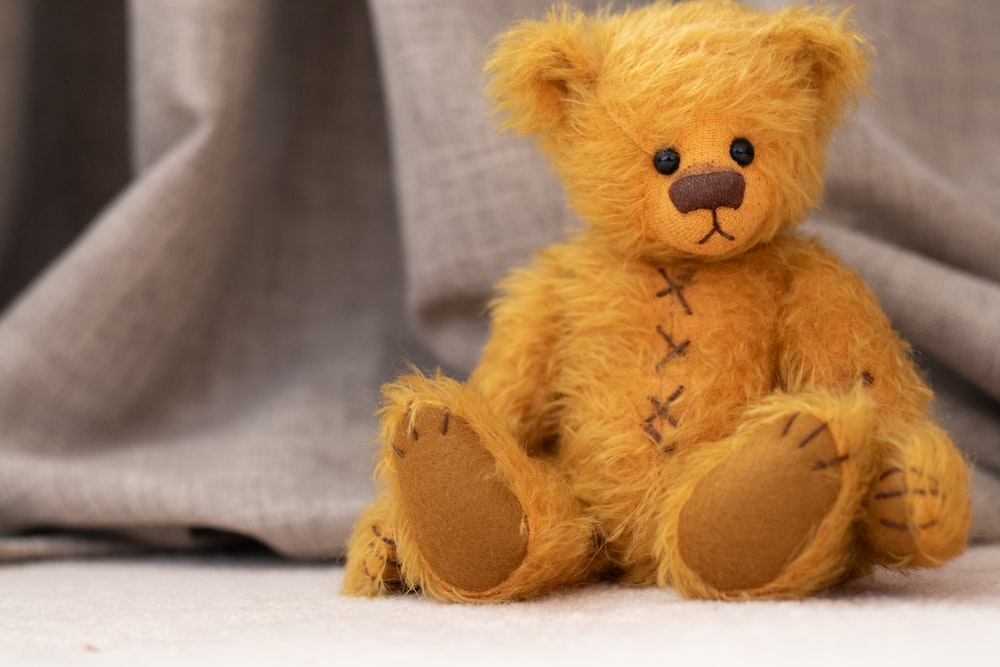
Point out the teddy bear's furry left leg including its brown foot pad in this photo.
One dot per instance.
(475, 518)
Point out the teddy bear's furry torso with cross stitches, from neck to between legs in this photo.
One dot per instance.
(652, 360)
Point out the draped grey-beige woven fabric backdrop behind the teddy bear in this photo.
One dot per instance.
(223, 223)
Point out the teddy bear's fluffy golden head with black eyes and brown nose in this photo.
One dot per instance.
(681, 130)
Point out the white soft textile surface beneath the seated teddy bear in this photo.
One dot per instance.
(249, 612)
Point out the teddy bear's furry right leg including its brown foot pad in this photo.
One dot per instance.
(769, 512)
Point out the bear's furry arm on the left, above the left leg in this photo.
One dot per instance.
(514, 372)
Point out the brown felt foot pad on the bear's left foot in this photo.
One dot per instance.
(467, 524)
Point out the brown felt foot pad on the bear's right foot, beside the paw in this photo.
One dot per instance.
(750, 517)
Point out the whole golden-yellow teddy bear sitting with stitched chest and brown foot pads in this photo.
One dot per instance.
(686, 393)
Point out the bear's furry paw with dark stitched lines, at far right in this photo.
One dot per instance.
(917, 511)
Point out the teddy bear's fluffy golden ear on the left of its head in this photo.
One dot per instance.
(539, 68)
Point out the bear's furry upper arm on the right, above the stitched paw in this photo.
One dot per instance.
(834, 334)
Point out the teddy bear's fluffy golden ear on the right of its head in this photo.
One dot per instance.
(829, 52)
